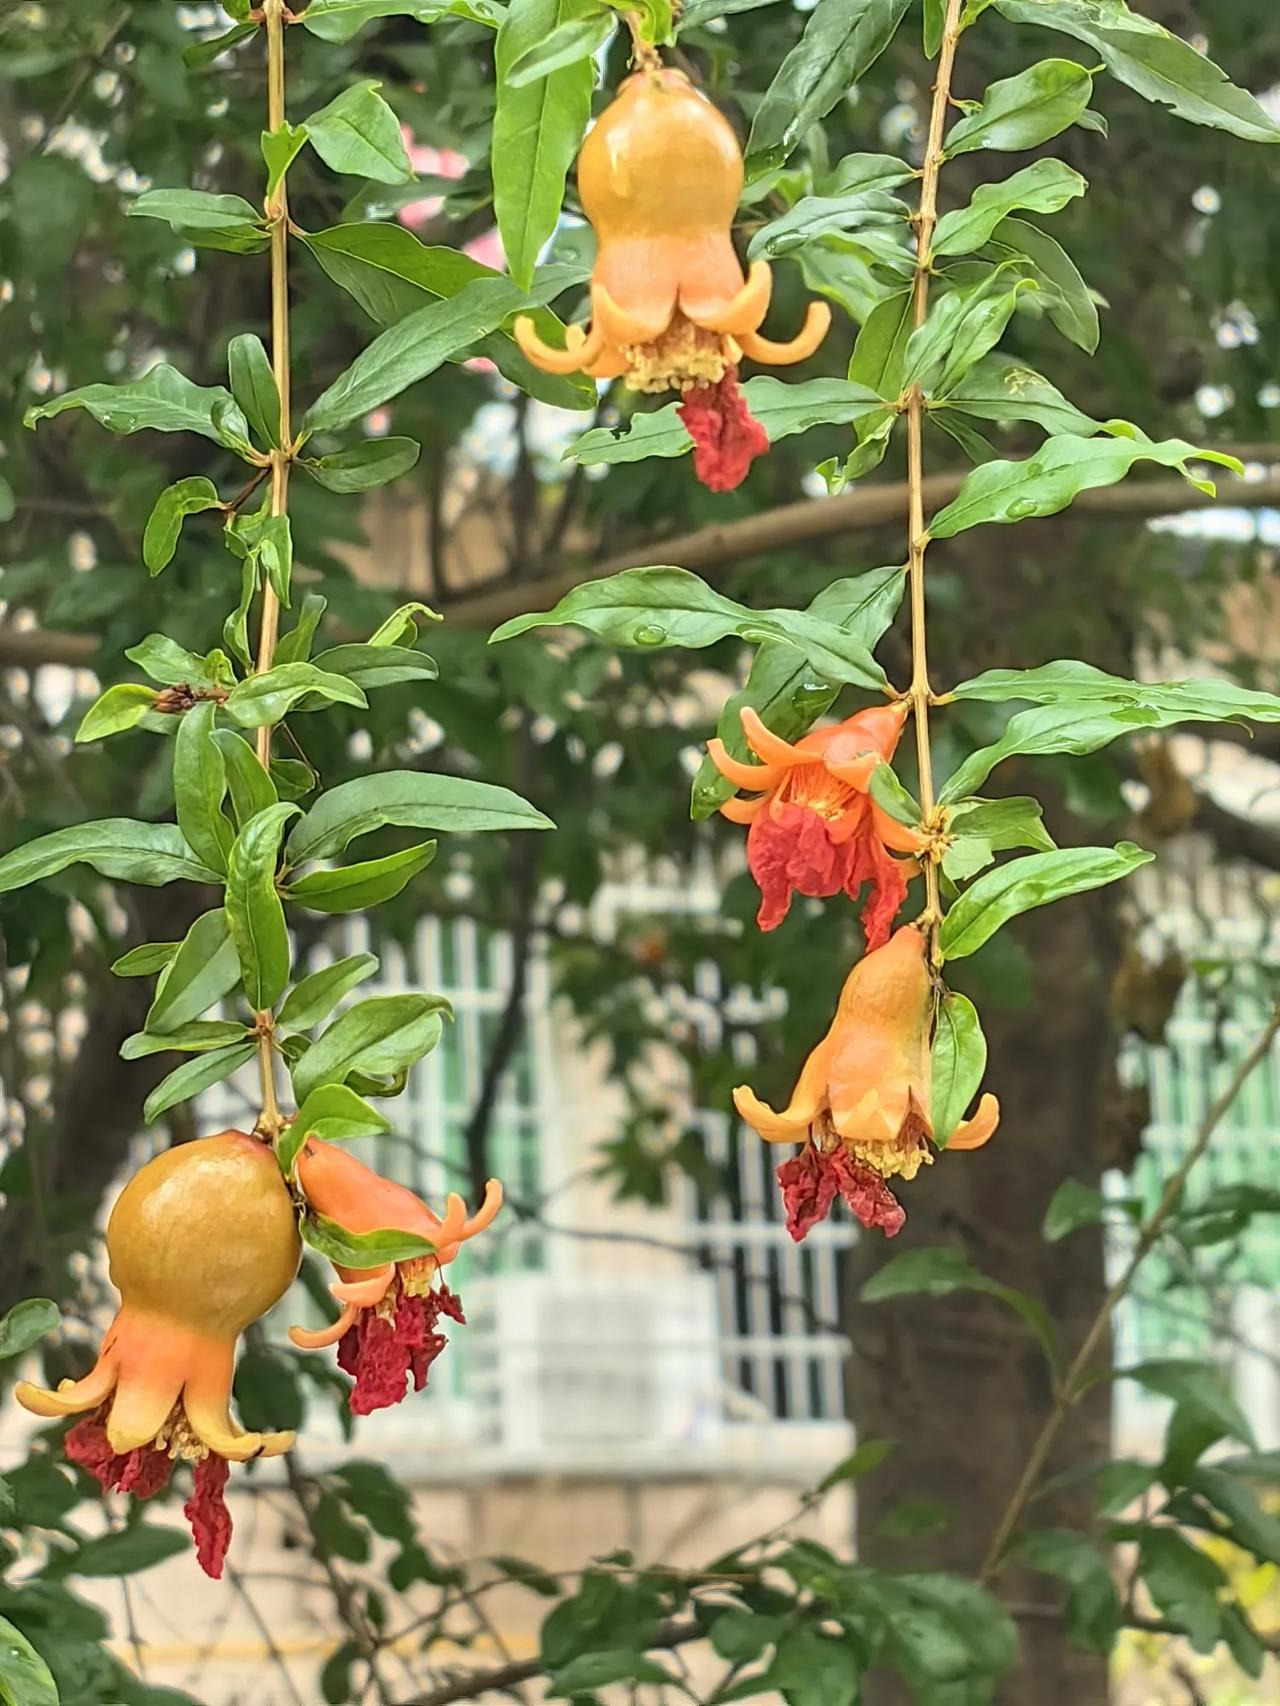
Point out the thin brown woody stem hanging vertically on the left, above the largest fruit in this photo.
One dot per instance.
(274, 13)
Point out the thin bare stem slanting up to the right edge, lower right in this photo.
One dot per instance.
(1076, 1378)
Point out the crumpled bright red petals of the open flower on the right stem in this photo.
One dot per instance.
(793, 852)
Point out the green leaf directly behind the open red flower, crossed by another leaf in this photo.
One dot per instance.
(784, 690)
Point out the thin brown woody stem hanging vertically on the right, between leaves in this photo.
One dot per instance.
(926, 224)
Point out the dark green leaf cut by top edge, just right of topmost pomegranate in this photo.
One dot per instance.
(842, 40)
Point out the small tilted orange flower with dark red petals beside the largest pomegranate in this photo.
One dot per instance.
(388, 1328)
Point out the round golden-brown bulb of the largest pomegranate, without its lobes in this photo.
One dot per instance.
(206, 1234)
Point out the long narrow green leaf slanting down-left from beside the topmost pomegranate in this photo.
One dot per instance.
(410, 351)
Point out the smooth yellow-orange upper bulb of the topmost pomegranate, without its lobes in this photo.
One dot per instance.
(661, 161)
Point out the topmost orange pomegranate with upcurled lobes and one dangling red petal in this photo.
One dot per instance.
(660, 177)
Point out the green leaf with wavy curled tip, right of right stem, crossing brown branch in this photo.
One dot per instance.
(1061, 472)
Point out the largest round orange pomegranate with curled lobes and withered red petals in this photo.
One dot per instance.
(202, 1243)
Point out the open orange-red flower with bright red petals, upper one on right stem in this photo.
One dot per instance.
(815, 828)
